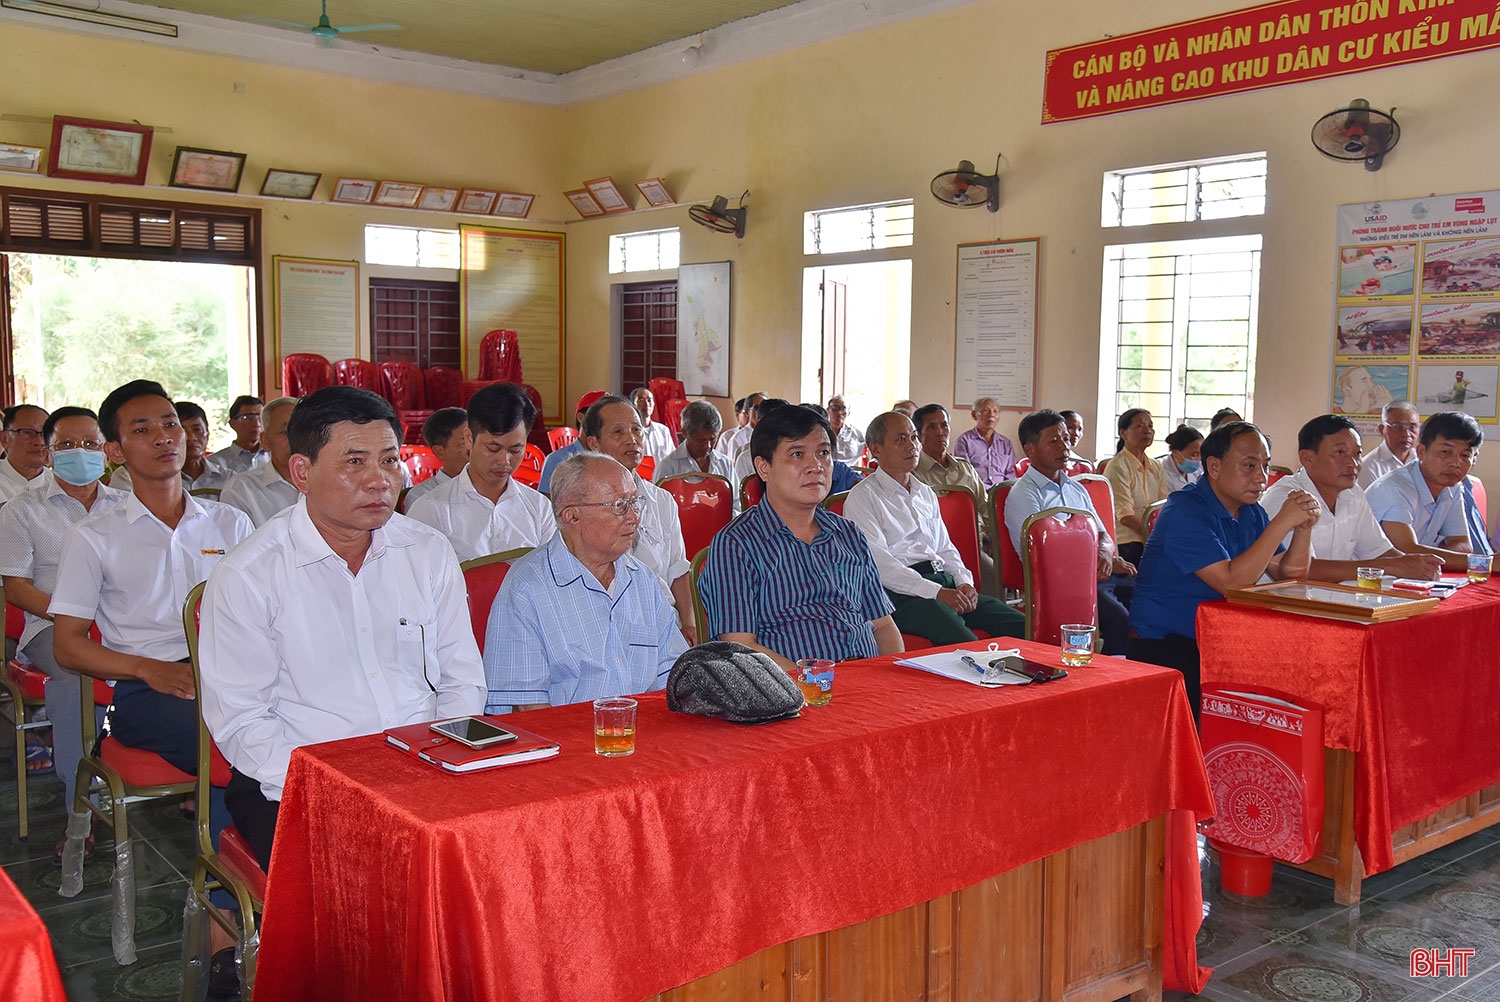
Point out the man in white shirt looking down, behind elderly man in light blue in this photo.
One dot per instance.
(485, 511)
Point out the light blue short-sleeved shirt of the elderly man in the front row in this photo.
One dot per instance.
(557, 637)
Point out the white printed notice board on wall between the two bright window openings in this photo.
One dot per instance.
(995, 319)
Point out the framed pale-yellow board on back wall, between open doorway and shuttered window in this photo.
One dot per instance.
(317, 308)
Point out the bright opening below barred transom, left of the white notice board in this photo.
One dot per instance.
(857, 335)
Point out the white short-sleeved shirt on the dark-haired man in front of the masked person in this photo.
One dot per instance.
(131, 574)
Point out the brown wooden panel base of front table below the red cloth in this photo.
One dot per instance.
(1079, 926)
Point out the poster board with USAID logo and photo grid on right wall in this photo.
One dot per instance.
(1417, 308)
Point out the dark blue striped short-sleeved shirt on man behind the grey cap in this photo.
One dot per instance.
(799, 599)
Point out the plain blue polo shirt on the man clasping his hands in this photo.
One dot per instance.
(1193, 532)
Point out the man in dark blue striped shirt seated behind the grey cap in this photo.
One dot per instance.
(788, 577)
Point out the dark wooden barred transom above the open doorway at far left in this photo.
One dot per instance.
(109, 227)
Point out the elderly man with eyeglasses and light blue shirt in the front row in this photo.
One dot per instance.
(581, 619)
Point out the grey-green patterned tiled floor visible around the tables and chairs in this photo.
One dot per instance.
(1292, 946)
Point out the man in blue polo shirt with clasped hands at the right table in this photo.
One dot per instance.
(1214, 536)
